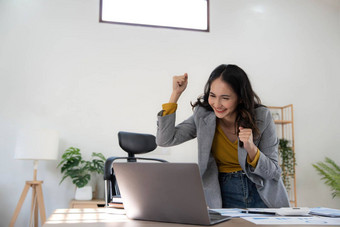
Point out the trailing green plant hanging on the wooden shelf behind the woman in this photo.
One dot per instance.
(287, 162)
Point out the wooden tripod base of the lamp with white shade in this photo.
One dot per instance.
(37, 203)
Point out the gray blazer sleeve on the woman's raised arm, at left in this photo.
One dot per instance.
(169, 135)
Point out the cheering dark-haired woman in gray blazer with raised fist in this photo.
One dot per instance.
(237, 142)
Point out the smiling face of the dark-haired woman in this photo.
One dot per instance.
(223, 100)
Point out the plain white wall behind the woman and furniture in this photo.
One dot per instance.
(62, 69)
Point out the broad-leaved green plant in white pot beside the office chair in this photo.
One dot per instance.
(79, 170)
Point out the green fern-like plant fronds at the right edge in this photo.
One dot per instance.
(330, 173)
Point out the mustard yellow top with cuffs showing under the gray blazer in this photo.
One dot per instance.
(224, 151)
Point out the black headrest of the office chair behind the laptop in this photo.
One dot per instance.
(136, 143)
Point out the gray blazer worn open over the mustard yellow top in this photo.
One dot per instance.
(202, 124)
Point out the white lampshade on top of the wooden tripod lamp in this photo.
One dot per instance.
(40, 144)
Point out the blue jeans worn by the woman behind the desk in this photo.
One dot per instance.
(238, 191)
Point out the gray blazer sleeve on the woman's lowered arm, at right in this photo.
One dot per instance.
(268, 166)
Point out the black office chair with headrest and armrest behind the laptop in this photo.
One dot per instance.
(132, 143)
